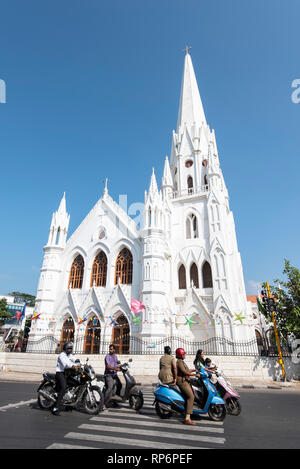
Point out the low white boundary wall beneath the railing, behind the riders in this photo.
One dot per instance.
(148, 365)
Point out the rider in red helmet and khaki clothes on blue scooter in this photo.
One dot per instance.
(183, 374)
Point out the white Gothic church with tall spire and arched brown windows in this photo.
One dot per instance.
(183, 263)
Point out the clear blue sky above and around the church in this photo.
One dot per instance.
(93, 92)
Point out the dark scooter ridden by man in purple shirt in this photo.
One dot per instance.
(131, 393)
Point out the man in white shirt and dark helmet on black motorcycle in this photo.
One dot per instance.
(65, 361)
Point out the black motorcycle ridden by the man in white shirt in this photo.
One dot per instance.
(82, 390)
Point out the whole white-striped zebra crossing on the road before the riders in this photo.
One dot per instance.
(118, 427)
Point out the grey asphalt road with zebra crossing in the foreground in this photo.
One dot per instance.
(269, 419)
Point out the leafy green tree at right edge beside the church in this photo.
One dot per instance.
(287, 295)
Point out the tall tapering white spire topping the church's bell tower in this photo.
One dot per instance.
(190, 108)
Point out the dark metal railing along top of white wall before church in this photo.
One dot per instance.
(135, 346)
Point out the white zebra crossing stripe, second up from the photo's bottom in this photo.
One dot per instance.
(127, 441)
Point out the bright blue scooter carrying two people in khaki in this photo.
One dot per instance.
(169, 399)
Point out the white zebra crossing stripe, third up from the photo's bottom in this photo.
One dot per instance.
(158, 433)
